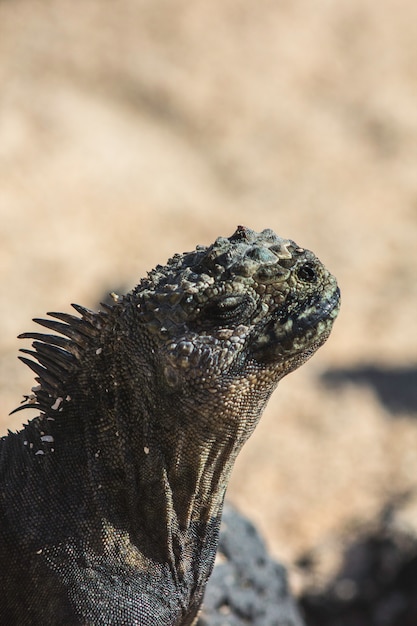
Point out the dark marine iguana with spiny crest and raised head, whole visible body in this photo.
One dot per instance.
(111, 498)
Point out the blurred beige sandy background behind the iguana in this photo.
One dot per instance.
(131, 130)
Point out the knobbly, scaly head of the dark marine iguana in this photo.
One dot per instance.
(238, 314)
